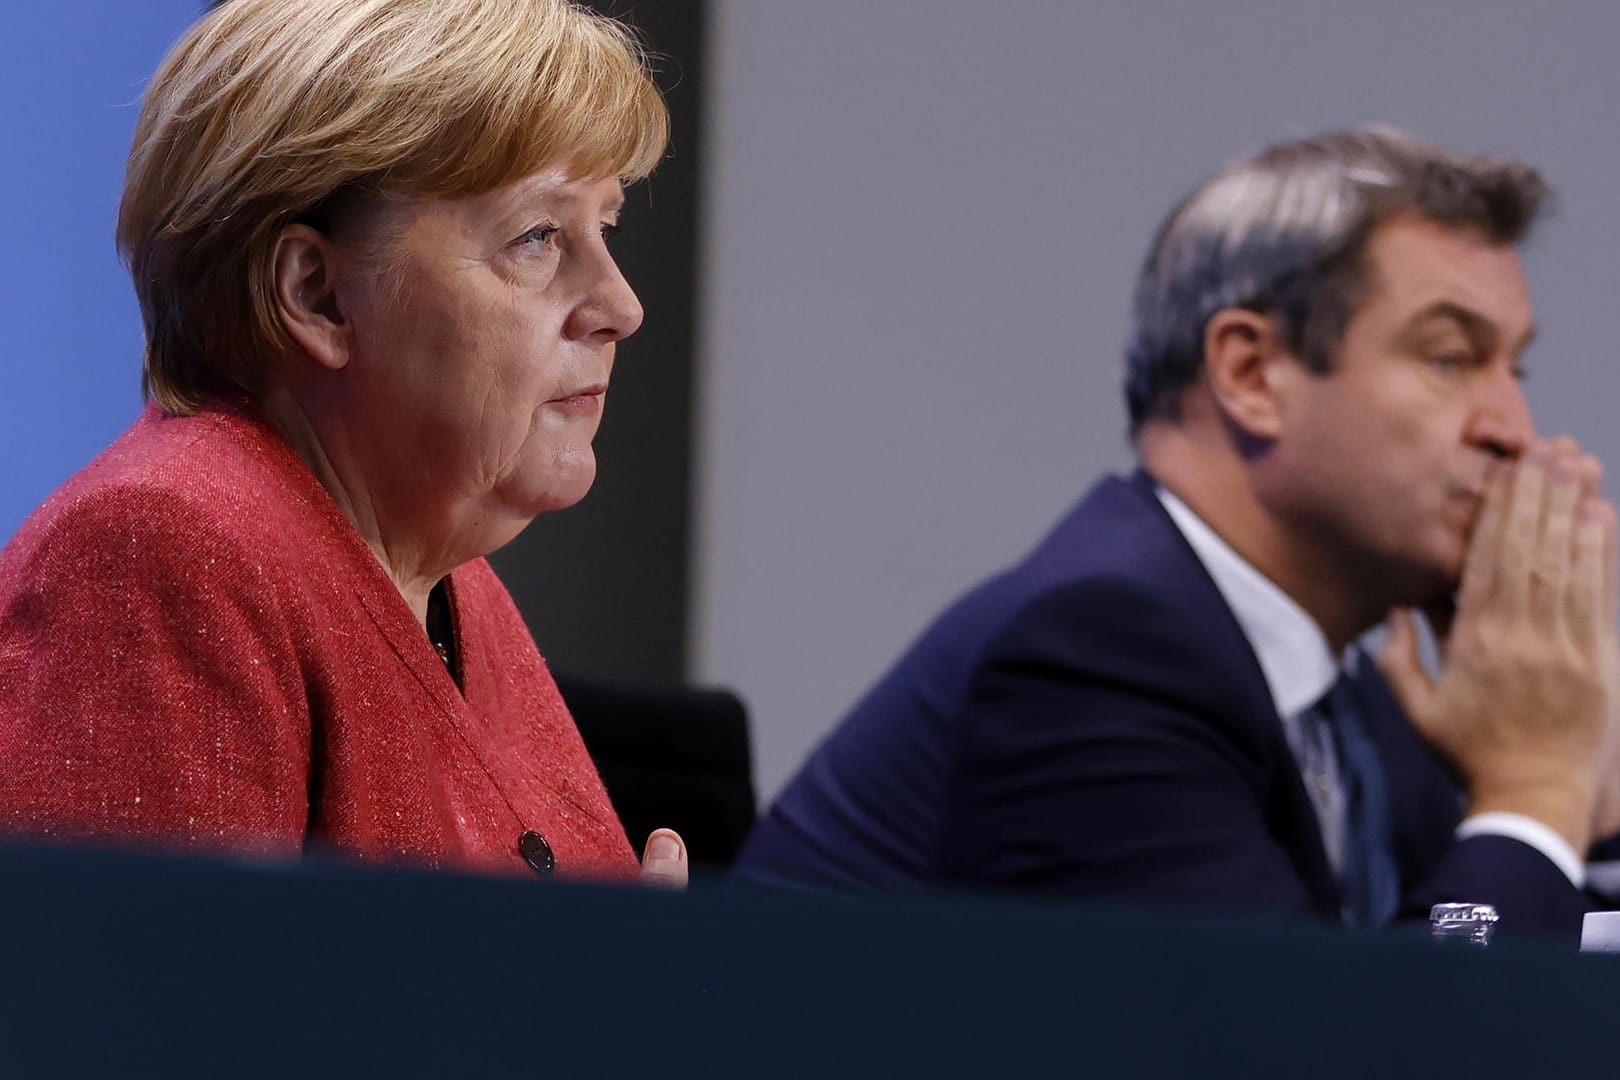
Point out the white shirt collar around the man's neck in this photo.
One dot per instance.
(1295, 657)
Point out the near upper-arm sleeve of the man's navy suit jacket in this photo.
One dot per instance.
(1073, 778)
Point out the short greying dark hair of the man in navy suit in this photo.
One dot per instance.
(1285, 234)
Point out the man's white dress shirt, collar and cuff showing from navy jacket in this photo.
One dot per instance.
(1300, 666)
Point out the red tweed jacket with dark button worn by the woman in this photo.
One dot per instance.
(198, 648)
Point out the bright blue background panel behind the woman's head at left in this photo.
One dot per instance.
(72, 75)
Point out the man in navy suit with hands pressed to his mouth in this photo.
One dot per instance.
(1162, 704)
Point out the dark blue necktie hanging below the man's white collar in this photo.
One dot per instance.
(1370, 875)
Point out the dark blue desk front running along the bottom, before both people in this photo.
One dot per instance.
(137, 966)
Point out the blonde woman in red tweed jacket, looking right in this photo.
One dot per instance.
(370, 242)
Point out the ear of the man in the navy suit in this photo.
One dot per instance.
(1247, 367)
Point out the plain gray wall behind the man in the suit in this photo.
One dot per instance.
(924, 218)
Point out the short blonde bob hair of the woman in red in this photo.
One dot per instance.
(268, 111)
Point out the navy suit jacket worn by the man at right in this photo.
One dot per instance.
(1094, 723)
